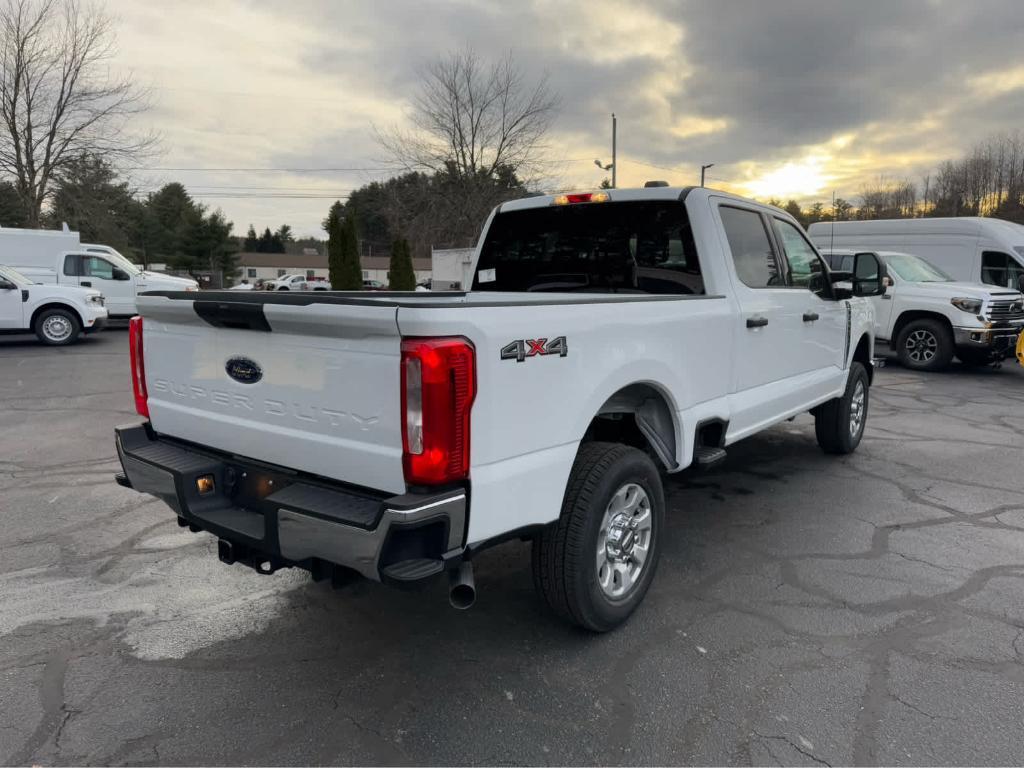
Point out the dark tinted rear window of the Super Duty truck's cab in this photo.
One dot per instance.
(635, 247)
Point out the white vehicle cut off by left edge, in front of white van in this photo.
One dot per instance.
(58, 315)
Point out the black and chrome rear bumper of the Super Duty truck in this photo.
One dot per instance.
(273, 518)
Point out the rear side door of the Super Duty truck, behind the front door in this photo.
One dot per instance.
(769, 353)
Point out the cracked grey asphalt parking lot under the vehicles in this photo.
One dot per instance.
(808, 610)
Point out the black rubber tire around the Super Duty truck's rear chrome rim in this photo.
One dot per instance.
(566, 568)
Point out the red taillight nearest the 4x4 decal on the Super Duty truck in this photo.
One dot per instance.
(438, 389)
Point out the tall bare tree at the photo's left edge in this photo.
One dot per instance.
(59, 99)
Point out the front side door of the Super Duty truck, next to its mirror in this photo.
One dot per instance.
(823, 319)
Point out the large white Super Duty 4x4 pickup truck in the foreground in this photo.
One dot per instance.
(609, 337)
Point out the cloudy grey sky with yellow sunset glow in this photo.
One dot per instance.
(787, 99)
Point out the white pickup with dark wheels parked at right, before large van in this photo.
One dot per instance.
(927, 317)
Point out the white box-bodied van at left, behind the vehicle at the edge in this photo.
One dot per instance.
(59, 258)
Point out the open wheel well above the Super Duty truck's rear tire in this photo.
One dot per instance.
(641, 416)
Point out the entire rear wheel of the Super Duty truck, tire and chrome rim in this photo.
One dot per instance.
(594, 566)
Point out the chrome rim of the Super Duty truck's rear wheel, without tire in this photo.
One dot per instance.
(624, 541)
